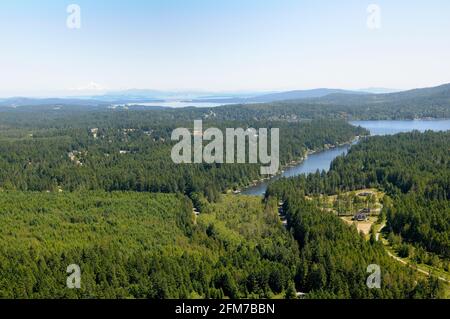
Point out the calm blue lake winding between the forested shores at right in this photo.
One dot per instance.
(322, 160)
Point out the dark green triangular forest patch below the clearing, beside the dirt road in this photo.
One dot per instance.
(334, 259)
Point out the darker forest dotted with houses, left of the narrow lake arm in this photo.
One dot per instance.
(130, 151)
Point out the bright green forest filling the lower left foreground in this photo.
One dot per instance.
(142, 246)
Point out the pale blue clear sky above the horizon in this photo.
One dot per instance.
(221, 45)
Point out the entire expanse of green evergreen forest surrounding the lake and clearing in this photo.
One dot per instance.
(99, 189)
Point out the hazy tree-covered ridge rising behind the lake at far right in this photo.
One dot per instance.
(413, 104)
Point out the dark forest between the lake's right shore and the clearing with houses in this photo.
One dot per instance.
(413, 168)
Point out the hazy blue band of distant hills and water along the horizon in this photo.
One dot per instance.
(440, 94)
